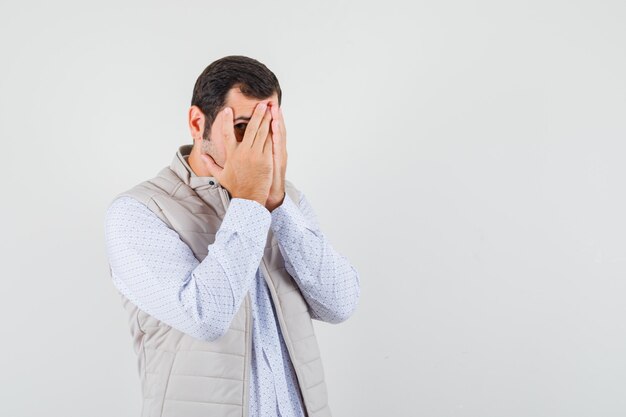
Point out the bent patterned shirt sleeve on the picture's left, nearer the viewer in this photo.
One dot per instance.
(159, 273)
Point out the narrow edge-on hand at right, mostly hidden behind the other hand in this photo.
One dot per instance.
(279, 155)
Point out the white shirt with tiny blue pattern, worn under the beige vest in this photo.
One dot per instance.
(158, 272)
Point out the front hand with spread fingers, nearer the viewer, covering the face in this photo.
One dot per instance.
(248, 169)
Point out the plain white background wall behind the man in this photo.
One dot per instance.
(466, 156)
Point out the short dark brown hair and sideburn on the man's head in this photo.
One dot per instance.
(251, 76)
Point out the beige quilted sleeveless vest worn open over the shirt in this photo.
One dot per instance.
(182, 376)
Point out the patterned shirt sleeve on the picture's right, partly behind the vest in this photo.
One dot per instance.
(327, 280)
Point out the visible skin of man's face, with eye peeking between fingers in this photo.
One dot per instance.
(243, 107)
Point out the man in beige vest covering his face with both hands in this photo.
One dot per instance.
(221, 263)
